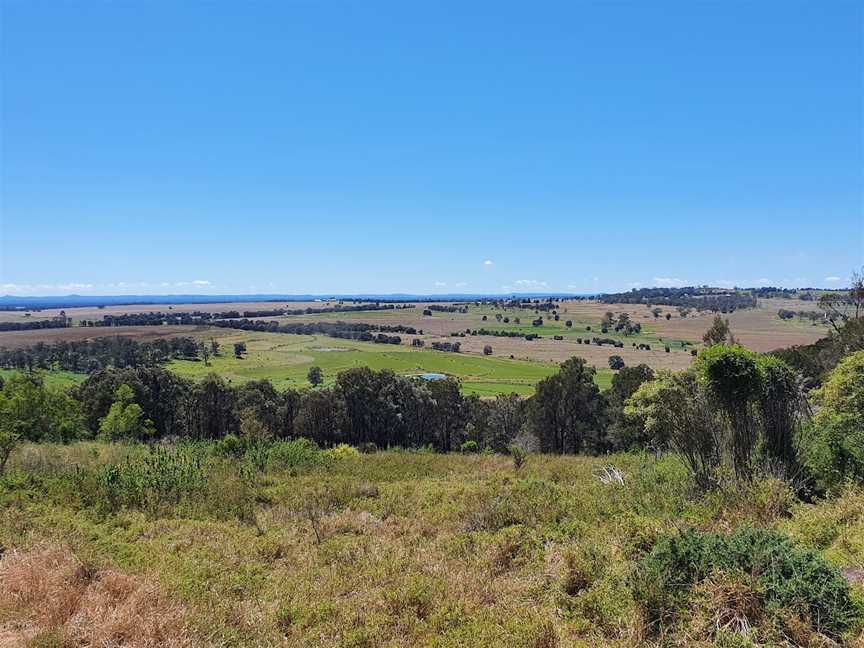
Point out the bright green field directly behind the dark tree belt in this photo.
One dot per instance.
(286, 359)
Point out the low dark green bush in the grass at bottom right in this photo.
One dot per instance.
(790, 579)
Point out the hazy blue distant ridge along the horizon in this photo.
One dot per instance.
(8, 302)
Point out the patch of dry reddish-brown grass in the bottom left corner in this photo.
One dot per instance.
(48, 591)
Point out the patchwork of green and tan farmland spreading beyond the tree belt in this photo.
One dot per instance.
(516, 363)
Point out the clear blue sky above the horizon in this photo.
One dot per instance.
(225, 147)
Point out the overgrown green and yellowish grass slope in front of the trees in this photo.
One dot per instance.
(396, 549)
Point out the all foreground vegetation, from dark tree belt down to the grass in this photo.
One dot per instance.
(718, 506)
